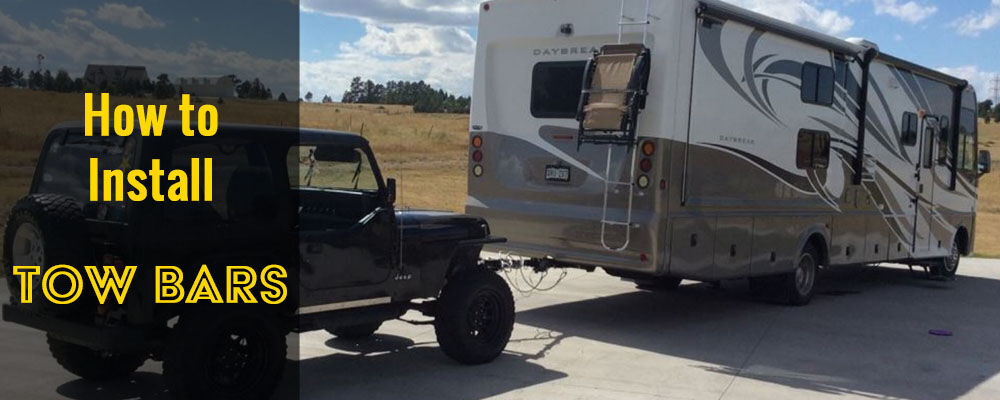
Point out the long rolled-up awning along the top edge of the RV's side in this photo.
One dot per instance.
(727, 11)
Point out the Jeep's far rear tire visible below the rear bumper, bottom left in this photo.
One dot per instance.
(93, 365)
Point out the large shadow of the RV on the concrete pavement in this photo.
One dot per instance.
(865, 334)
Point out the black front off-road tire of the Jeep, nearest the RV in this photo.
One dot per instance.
(474, 316)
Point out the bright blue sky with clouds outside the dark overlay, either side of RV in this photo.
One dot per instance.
(344, 38)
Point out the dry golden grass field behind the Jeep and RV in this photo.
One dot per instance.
(426, 152)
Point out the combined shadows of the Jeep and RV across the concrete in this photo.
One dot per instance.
(865, 334)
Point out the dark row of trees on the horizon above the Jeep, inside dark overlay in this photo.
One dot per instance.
(160, 88)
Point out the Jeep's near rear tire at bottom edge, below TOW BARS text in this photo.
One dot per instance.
(226, 354)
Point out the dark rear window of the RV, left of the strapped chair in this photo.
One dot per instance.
(555, 89)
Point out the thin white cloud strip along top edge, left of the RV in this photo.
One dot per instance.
(427, 12)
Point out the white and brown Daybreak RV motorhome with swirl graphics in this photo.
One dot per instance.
(690, 139)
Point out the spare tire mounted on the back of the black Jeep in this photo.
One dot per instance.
(59, 221)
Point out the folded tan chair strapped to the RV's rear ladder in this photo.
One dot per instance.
(614, 90)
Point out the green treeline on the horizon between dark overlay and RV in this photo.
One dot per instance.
(423, 97)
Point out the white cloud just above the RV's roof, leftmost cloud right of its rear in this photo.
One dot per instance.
(801, 12)
